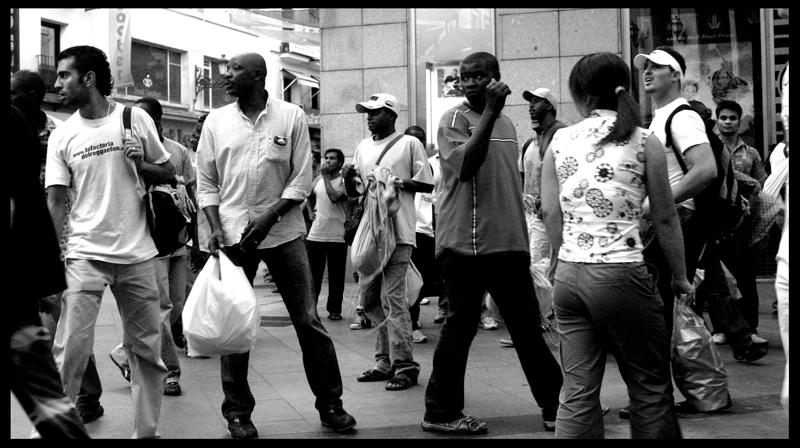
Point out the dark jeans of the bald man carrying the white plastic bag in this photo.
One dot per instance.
(288, 264)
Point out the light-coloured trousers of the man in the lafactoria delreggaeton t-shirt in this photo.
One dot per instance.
(134, 288)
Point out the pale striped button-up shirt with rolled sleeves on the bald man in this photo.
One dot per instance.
(245, 168)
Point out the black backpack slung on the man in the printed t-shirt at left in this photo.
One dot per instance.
(165, 220)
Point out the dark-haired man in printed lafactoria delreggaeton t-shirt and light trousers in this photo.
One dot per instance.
(109, 243)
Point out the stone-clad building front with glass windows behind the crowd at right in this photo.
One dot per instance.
(413, 54)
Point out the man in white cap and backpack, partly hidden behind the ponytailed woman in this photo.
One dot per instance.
(662, 72)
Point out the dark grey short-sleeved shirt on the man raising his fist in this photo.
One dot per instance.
(482, 215)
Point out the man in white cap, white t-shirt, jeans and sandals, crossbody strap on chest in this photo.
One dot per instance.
(408, 163)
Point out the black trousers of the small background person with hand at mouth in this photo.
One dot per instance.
(335, 255)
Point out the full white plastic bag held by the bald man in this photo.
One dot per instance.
(221, 314)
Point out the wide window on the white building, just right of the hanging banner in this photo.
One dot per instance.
(156, 72)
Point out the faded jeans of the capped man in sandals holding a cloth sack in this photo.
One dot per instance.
(385, 303)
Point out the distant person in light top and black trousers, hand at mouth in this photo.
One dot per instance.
(325, 241)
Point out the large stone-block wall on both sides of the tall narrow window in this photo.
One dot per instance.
(366, 51)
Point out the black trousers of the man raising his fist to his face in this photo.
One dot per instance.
(507, 278)
